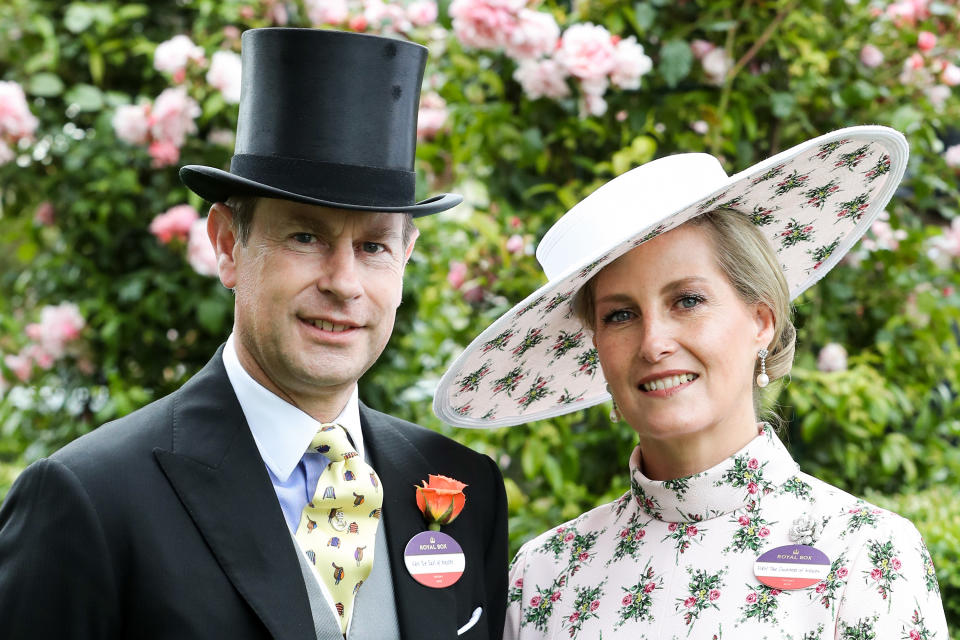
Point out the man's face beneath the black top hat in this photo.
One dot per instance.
(317, 291)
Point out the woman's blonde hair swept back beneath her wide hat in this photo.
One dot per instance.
(751, 266)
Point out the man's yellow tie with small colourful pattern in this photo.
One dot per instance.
(338, 527)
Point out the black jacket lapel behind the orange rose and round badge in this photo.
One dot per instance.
(423, 612)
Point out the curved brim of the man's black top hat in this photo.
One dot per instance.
(217, 185)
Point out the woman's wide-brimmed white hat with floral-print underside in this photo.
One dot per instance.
(813, 202)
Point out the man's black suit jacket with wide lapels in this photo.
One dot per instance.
(164, 524)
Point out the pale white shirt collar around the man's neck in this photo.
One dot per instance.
(281, 431)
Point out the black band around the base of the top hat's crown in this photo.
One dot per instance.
(330, 181)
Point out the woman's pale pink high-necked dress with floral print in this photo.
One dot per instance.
(675, 560)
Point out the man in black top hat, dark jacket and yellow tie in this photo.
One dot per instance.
(203, 514)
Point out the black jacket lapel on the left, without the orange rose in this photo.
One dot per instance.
(216, 470)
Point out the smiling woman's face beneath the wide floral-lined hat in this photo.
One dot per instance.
(676, 343)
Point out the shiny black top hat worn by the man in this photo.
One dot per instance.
(327, 118)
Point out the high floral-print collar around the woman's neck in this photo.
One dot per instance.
(739, 481)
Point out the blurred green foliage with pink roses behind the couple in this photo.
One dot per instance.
(108, 298)
